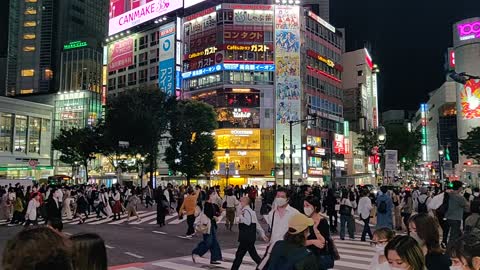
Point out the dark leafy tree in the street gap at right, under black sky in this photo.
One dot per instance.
(407, 143)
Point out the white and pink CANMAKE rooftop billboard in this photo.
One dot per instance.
(125, 14)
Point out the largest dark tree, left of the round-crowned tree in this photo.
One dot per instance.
(139, 117)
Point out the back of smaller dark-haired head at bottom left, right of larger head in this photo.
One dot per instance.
(89, 252)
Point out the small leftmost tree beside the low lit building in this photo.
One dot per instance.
(77, 146)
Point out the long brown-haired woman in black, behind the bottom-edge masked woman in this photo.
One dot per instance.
(425, 230)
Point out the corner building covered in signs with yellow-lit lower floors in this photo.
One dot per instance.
(246, 61)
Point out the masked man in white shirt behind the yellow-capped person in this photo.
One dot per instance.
(277, 221)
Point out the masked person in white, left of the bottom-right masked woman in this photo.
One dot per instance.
(380, 239)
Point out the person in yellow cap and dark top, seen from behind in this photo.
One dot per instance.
(291, 253)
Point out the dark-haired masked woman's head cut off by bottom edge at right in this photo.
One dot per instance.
(403, 252)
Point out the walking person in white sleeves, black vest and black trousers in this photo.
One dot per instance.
(247, 235)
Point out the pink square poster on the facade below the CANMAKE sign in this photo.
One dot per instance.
(120, 54)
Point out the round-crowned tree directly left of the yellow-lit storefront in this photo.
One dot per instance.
(191, 145)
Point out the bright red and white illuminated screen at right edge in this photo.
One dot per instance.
(470, 100)
